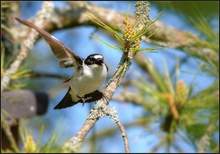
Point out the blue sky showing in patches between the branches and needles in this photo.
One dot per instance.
(74, 117)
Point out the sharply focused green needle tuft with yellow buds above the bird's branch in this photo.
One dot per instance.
(122, 35)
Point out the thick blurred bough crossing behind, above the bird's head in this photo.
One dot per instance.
(169, 37)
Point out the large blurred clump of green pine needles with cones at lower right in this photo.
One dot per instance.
(195, 117)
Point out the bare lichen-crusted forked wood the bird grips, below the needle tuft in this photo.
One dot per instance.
(101, 109)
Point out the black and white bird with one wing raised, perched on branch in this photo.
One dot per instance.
(89, 75)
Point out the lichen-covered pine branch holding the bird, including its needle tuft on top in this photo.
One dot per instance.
(101, 109)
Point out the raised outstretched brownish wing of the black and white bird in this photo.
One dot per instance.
(65, 56)
